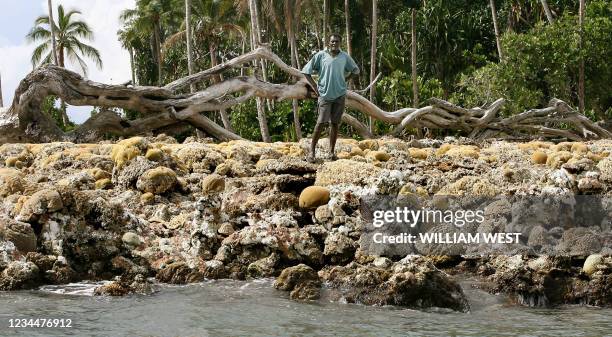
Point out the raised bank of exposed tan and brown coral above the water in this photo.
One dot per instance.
(151, 207)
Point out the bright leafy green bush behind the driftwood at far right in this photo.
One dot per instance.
(543, 63)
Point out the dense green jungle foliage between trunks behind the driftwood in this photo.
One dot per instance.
(456, 52)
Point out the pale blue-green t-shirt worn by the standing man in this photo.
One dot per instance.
(332, 71)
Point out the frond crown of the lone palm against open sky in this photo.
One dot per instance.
(68, 37)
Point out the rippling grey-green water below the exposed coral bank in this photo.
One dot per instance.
(254, 308)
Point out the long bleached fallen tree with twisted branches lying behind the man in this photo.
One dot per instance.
(170, 108)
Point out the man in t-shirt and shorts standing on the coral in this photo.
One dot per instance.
(332, 65)
